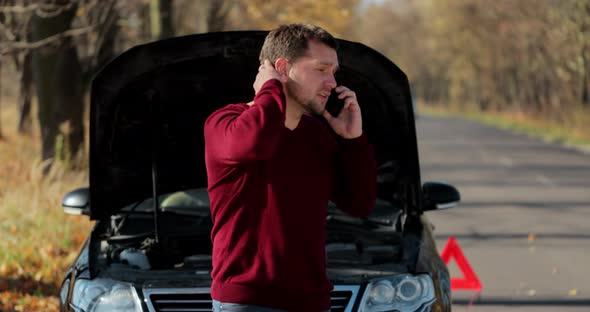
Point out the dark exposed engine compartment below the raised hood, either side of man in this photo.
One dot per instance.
(184, 242)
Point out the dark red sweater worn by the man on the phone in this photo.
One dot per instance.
(269, 188)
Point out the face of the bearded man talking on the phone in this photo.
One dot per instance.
(311, 78)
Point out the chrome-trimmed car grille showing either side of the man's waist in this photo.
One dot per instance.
(199, 299)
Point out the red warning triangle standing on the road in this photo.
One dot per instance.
(469, 280)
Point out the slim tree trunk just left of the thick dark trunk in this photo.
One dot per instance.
(25, 96)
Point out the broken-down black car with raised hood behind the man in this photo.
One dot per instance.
(148, 107)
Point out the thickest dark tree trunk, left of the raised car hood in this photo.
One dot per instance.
(58, 79)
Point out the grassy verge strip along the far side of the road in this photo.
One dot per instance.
(573, 131)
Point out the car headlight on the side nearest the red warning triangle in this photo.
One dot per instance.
(399, 293)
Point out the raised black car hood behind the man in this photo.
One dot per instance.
(149, 105)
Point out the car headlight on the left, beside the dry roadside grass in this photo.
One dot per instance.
(102, 295)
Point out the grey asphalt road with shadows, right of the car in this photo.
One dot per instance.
(524, 219)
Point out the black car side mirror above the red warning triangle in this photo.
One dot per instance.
(439, 195)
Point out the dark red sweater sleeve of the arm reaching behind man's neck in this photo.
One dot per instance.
(234, 135)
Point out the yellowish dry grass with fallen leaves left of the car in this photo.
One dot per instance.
(38, 241)
